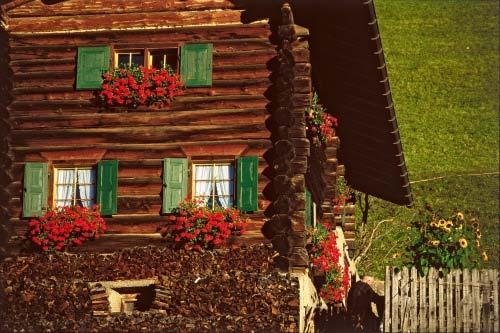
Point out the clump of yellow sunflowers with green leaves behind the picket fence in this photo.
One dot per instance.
(445, 244)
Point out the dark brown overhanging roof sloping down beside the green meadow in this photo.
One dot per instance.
(351, 74)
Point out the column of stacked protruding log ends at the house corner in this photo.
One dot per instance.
(286, 227)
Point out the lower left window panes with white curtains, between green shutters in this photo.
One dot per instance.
(75, 187)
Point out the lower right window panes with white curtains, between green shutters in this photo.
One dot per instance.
(213, 184)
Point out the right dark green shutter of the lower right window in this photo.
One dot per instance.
(246, 183)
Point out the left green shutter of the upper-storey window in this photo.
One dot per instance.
(92, 62)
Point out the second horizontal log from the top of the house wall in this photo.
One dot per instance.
(118, 21)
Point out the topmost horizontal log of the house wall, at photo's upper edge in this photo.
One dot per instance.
(68, 8)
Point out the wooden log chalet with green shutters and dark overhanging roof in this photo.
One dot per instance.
(248, 74)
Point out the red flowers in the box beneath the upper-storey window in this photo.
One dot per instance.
(135, 86)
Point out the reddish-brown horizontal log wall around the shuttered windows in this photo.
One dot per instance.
(52, 122)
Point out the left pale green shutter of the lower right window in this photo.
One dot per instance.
(175, 180)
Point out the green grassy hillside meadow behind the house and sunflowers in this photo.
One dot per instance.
(443, 61)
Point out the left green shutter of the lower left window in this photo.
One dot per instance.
(35, 189)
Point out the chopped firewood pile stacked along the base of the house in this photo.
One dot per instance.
(221, 290)
